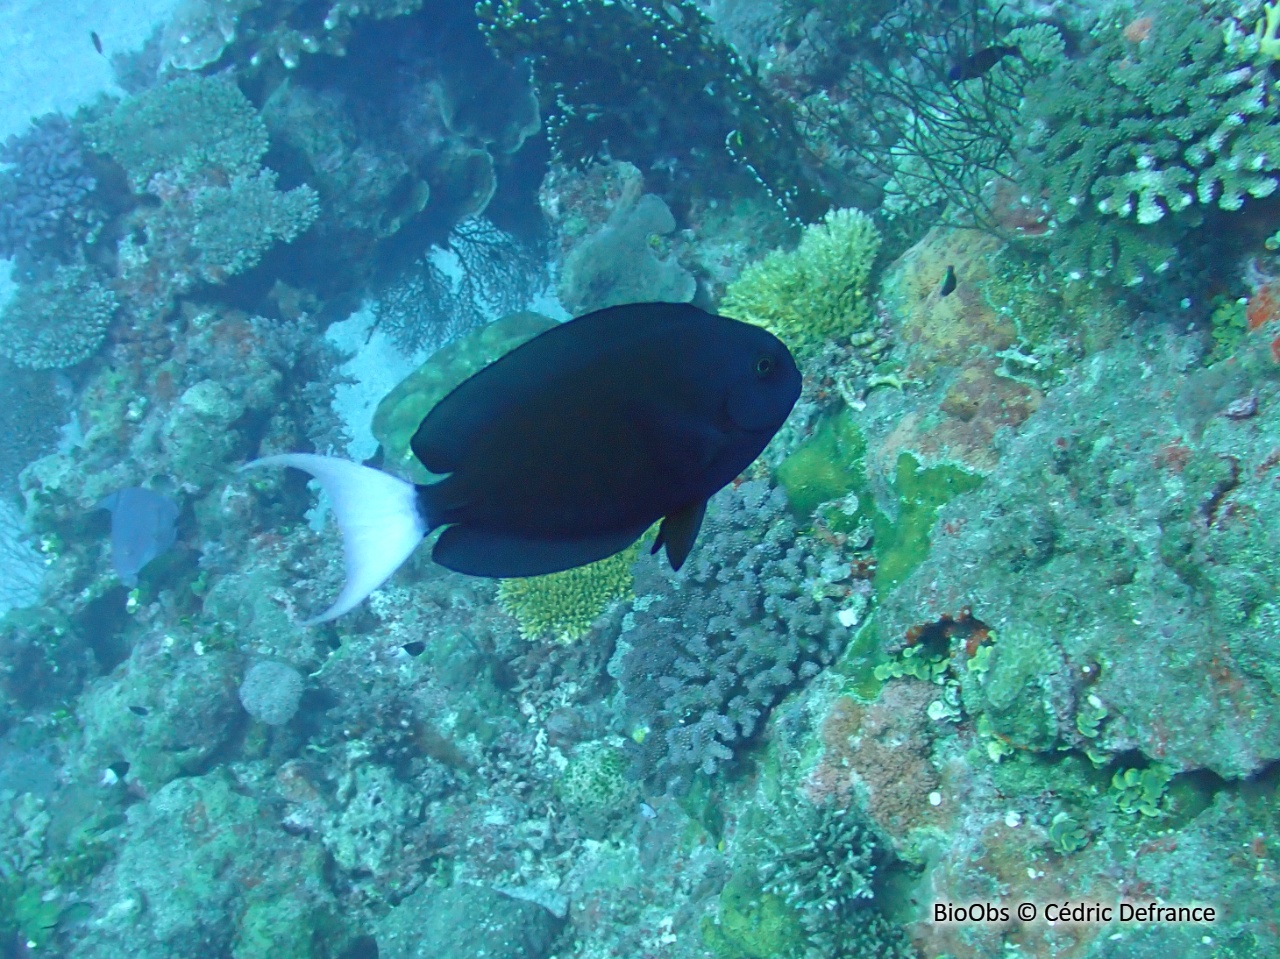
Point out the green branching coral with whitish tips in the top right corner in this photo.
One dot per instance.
(1135, 143)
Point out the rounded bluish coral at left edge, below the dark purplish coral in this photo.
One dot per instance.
(58, 322)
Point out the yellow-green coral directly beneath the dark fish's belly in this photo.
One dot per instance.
(566, 605)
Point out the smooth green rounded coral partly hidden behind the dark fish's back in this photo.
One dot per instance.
(399, 415)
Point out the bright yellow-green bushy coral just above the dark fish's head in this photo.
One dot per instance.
(820, 291)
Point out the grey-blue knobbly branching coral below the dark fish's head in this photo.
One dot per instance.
(712, 650)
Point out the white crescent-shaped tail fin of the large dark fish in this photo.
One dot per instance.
(378, 517)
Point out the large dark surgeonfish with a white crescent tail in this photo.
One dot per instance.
(566, 450)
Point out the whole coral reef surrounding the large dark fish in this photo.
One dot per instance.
(993, 620)
